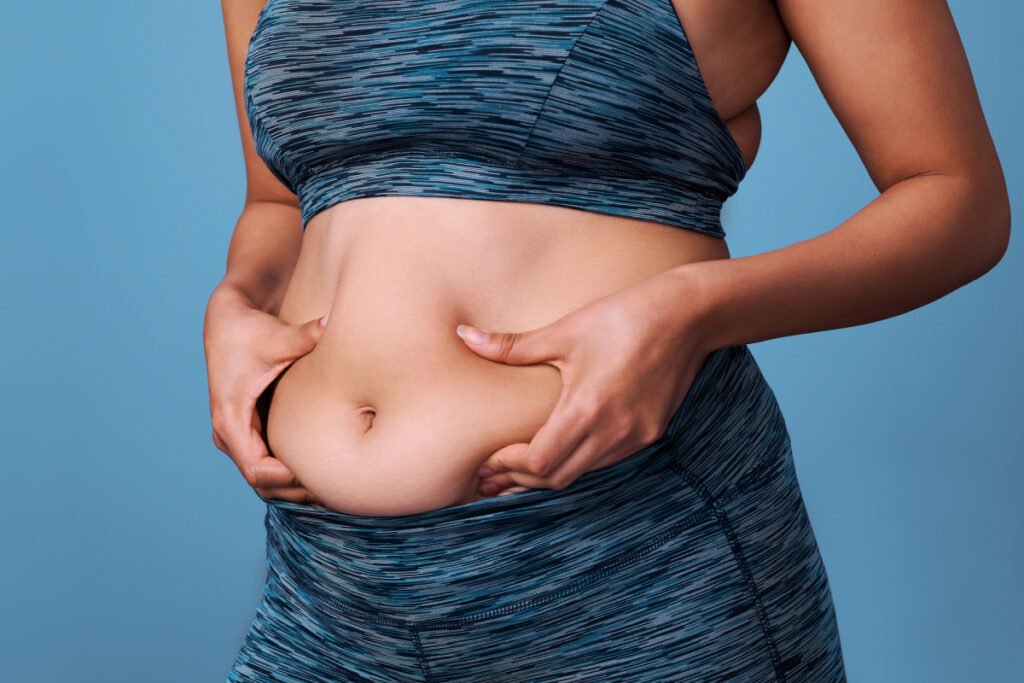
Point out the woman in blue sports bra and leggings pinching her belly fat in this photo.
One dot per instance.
(603, 488)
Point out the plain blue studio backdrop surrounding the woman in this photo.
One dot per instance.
(133, 548)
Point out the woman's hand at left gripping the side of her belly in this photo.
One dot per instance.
(246, 351)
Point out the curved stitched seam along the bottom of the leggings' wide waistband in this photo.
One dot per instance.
(604, 570)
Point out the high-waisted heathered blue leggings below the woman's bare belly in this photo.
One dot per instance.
(693, 560)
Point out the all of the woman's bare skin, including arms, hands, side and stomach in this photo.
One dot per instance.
(601, 322)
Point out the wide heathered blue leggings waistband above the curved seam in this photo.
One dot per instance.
(498, 556)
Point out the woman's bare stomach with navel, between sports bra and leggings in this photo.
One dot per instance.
(392, 414)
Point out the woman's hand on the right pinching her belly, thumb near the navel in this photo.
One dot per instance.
(627, 362)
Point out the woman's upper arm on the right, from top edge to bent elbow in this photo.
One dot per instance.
(898, 78)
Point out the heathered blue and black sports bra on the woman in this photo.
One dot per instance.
(594, 105)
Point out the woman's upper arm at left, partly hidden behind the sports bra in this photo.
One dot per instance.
(240, 22)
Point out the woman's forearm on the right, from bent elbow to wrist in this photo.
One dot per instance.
(918, 241)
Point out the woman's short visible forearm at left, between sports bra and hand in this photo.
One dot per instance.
(263, 254)
